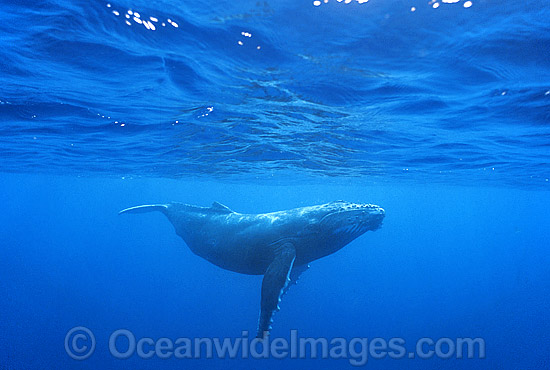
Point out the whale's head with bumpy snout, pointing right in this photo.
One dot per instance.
(341, 222)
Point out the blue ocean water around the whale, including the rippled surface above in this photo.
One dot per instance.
(437, 111)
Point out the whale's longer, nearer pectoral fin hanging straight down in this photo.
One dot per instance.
(275, 279)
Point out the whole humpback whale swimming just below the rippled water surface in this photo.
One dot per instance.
(279, 245)
